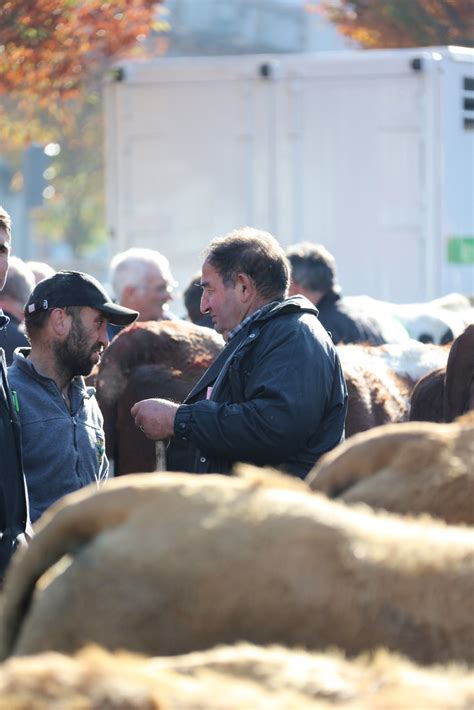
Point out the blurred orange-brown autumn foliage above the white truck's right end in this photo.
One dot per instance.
(403, 23)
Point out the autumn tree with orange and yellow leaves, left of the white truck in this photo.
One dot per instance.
(53, 55)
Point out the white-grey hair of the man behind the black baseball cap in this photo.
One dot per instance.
(130, 268)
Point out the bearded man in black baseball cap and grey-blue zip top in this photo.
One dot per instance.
(66, 319)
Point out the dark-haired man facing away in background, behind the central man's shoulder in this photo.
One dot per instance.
(313, 274)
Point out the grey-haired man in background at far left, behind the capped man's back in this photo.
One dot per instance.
(18, 286)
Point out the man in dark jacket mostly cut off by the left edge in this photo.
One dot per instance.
(13, 503)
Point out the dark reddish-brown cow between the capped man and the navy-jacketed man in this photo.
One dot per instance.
(150, 359)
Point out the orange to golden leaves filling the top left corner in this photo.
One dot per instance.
(52, 55)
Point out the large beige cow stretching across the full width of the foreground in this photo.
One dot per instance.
(170, 563)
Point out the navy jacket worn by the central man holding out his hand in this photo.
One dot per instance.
(278, 396)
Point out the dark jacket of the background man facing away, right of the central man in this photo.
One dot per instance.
(346, 323)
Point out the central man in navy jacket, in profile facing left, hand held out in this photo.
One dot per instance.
(276, 394)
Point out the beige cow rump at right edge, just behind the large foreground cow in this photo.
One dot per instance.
(416, 467)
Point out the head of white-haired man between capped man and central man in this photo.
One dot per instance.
(141, 280)
